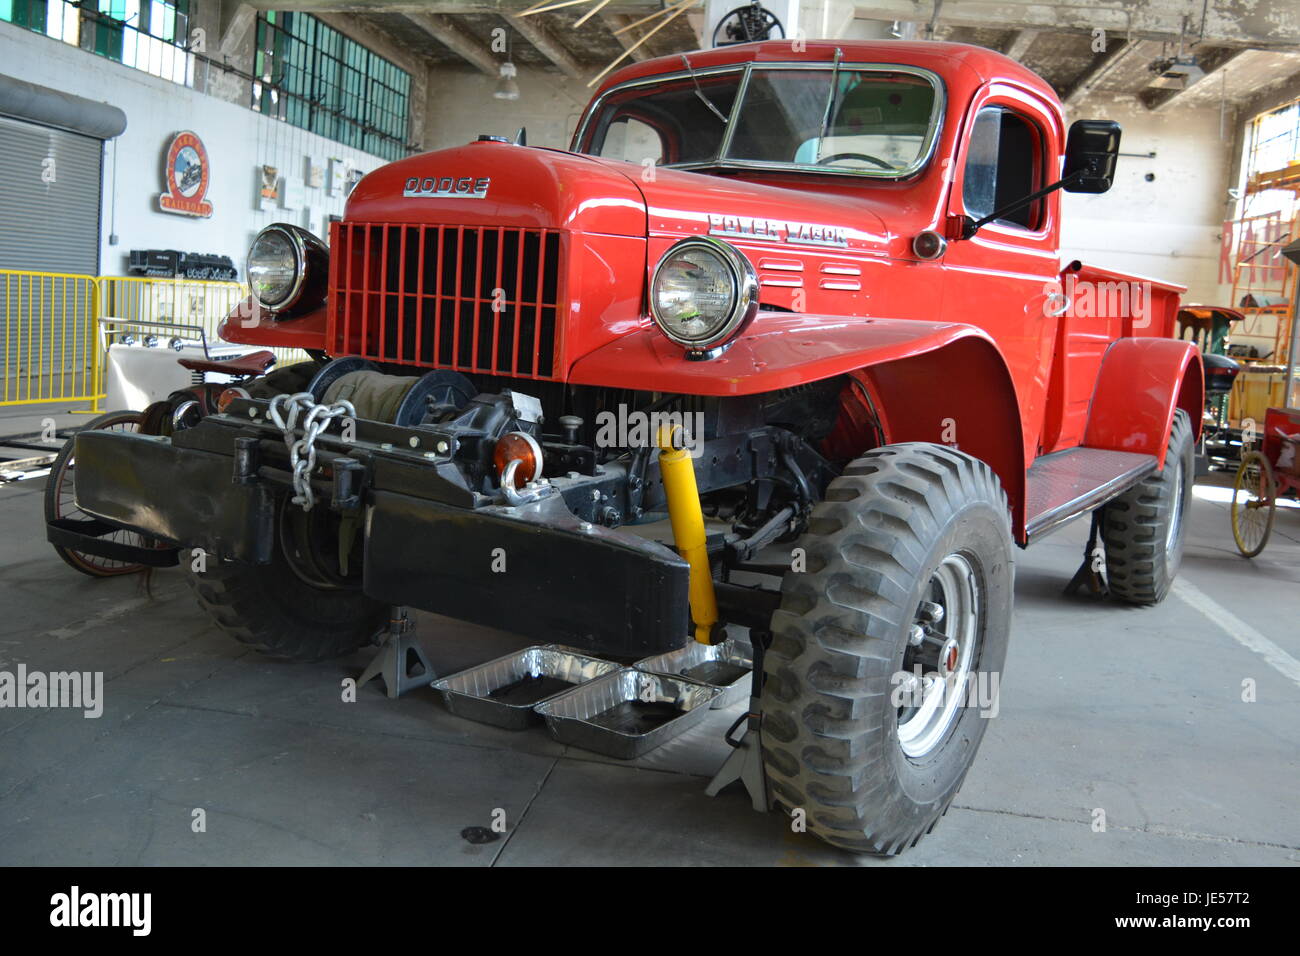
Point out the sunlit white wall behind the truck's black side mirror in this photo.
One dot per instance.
(1168, 228)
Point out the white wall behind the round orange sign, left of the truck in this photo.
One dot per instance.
(239, 142)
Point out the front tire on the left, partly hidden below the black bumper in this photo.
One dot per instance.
(275, 612)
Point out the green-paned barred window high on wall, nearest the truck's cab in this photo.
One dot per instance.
(314, 77)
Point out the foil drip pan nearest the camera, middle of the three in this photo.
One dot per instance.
(627, 713)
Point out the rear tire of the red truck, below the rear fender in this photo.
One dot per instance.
(1136, 526)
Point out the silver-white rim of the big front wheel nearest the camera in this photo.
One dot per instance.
(925, 728)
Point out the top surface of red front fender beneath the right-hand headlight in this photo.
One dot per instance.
(779, 351)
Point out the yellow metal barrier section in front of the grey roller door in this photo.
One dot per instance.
(50, 351)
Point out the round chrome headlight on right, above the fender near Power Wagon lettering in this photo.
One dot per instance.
(703, 295)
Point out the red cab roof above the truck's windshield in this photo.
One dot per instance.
(938, 57)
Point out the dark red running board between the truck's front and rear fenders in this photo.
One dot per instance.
(1068, 485)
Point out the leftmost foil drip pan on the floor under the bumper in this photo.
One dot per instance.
(504, 693)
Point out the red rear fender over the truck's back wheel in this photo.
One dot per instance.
(1142, 383)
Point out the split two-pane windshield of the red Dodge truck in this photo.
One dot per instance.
(874, 122)
